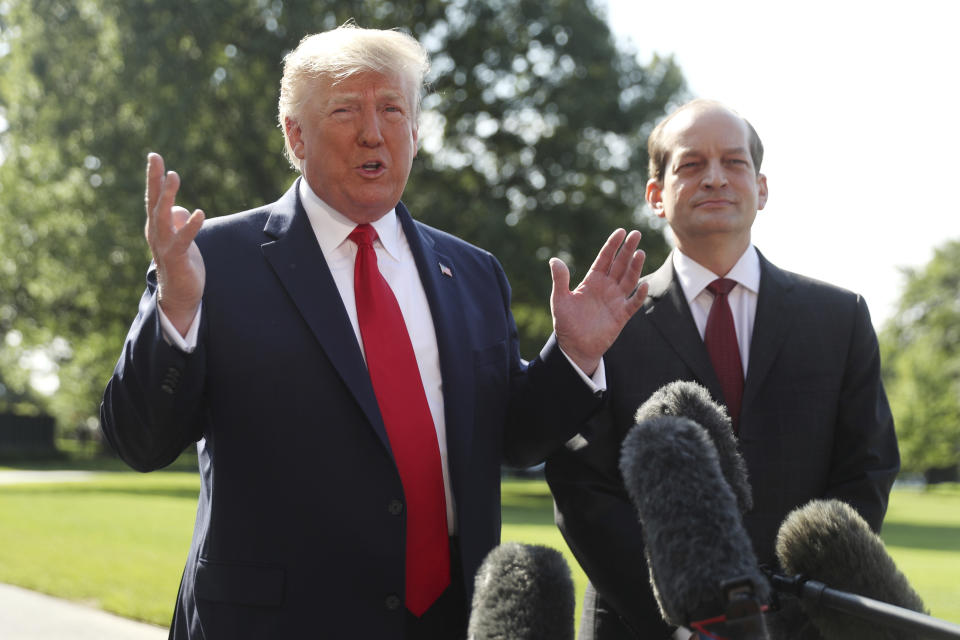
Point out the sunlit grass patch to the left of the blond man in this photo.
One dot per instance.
(117, 542)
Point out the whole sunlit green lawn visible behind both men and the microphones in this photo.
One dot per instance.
(119, 541)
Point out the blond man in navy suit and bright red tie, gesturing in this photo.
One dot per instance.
(351, 377)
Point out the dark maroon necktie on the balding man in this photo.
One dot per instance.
(720, 337)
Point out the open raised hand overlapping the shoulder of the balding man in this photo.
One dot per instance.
(588, 319)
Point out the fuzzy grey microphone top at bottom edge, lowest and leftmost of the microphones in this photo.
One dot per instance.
(522, 592)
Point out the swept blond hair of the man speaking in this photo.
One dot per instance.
(340, 53)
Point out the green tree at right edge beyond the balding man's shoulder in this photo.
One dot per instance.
(921, 363)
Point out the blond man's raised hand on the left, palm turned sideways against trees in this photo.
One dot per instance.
(170, 232)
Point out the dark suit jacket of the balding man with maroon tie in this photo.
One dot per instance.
(814, 423)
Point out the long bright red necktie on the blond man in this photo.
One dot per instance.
(406, 415)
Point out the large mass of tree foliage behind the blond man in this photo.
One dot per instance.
(533, 145)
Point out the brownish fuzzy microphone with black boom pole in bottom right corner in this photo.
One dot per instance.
(827, 541)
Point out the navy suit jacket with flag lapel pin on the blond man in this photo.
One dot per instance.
(300, 522)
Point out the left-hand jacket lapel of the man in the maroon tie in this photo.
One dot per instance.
(669, 312)
